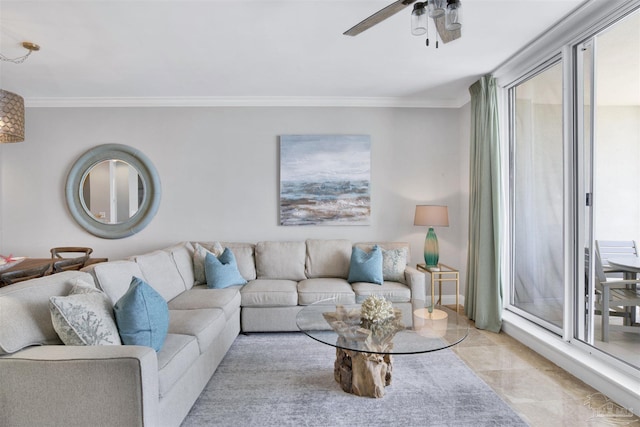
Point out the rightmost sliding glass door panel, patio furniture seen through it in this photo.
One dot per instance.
(608, 107)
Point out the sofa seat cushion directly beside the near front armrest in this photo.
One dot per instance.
(178, 354)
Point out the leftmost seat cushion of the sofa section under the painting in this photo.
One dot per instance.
(269, 293)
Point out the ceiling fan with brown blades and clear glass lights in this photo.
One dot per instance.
(445, 13)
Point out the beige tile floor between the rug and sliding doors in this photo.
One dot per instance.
(542, 393)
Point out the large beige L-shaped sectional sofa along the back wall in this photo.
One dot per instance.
(44, 383)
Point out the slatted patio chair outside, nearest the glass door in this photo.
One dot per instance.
(616, 298)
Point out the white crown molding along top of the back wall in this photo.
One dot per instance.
(277, 101)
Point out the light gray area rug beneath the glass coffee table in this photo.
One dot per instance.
(286, 379)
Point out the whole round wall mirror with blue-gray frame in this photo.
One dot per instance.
(113, 191)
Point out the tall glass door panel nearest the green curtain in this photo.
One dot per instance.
(537, 197)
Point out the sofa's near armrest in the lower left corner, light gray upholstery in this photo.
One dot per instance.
(79, 386)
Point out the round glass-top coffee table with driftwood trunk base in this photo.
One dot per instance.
(364, 350)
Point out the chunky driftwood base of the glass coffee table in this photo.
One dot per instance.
(362, 374)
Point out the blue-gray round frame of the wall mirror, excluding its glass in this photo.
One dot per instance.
(150, 202)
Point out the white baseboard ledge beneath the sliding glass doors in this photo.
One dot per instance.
(588, 364)
